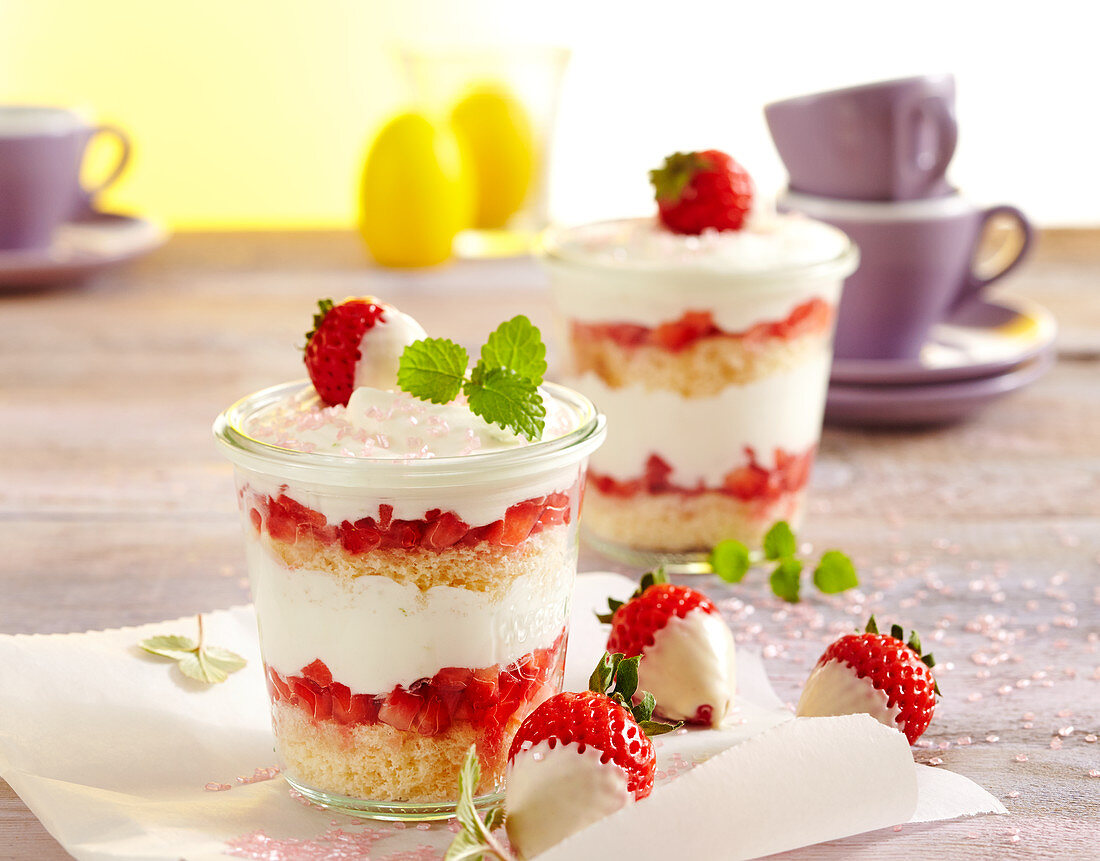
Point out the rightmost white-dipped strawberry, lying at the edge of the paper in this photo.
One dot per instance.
(878, 675)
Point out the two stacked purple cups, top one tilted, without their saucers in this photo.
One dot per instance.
(872, 161)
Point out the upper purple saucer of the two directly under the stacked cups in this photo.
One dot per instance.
(983, 339)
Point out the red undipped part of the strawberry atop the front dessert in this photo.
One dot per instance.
(334, 347)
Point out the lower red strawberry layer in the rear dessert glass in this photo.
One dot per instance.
(749, 483)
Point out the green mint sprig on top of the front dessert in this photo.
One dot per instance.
(503, 388)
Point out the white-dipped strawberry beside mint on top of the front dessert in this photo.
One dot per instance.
(357, 344)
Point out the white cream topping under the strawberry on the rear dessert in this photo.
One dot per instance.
(768, 241)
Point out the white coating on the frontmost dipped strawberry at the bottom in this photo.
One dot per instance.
(555, 792)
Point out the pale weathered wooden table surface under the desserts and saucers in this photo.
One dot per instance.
(117, 510)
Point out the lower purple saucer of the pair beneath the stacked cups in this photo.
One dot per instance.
(940, 404)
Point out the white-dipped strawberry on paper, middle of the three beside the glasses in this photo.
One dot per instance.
(689, 659)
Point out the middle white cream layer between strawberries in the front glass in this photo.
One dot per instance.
(375, 634)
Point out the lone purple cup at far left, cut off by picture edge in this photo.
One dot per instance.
(41, 154)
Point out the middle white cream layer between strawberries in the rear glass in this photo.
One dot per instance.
(702, 439)
